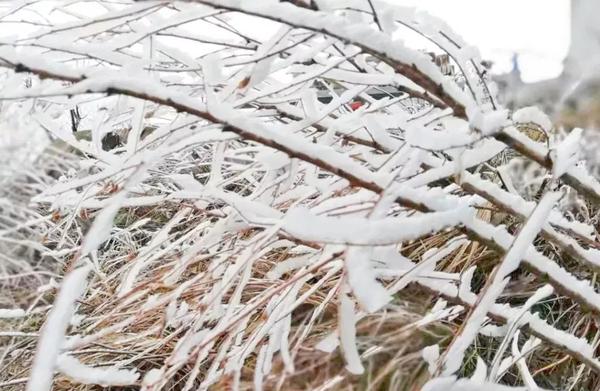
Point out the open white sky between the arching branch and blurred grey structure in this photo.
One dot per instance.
(539, 30)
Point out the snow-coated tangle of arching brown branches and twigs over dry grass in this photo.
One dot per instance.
(268, 168)
